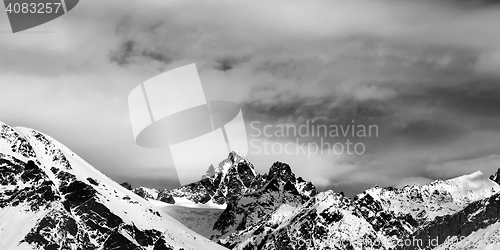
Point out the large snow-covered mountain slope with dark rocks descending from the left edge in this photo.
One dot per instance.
(52, 199)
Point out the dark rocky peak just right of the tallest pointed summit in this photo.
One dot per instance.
(269, 199)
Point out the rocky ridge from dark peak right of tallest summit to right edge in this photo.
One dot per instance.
(278, 216)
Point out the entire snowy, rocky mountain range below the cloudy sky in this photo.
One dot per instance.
(52, 199)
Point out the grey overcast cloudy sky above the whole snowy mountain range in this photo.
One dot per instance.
(427, 73)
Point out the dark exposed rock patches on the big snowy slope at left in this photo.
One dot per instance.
(74, 214)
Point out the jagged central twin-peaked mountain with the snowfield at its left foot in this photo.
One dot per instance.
(245, 196)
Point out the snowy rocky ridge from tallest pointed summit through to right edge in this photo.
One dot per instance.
(280, 211)
